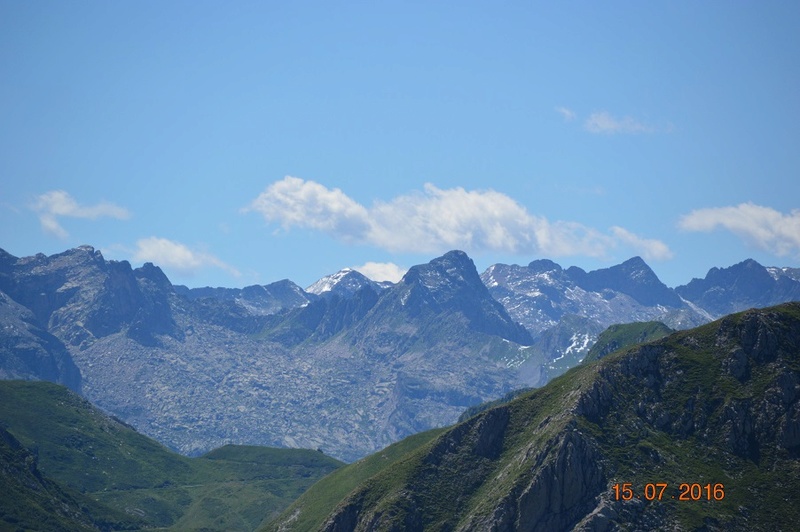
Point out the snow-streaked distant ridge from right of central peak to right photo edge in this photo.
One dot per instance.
(566, 309)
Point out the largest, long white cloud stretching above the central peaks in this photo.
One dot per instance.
(432, 221)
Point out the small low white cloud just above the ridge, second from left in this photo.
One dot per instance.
(171, 254)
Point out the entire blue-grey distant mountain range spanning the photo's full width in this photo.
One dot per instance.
(347, 366)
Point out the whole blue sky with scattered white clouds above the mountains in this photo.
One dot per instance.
(235, 143)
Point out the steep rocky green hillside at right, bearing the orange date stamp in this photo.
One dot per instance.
(716, 405)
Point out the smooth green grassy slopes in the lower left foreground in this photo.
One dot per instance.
(60, 449)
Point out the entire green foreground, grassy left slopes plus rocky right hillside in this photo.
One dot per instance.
(698, 429)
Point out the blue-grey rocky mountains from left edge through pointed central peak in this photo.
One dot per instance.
(346, 374)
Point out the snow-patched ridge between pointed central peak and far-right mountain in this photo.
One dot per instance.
(566, 309)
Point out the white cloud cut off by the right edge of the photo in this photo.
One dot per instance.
(762, 227)
